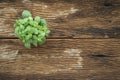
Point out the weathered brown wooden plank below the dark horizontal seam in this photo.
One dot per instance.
(58, 59)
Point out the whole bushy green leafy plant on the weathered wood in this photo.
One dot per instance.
(31, 31)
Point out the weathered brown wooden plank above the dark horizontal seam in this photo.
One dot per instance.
(66, 18)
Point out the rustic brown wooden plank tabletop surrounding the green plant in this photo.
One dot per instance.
(84, 43)
